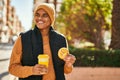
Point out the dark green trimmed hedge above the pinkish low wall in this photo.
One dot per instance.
(96, 58)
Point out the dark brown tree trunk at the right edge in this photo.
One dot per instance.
(115, 39)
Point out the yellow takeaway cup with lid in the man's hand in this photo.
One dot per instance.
(43, 59)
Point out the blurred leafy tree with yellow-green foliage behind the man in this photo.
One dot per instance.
(86, 19)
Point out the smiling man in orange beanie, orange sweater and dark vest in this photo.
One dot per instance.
(43, 39)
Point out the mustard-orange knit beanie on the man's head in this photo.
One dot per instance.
(49, 8)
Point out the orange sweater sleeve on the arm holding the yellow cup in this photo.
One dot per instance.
(15, 67)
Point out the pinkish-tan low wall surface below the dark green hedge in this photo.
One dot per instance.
(89, 73)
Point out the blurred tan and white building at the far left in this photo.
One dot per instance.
(10, 24)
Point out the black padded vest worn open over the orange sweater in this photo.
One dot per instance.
(32, 46)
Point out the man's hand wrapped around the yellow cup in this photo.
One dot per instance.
(40, 69)
